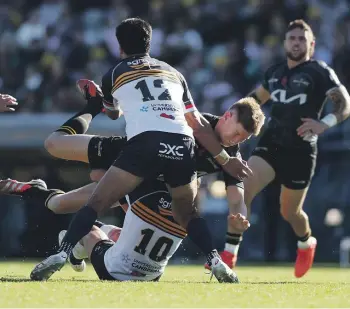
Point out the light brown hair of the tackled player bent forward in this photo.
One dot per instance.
(249, 114)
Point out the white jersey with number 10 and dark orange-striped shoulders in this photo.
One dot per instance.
(148, 240)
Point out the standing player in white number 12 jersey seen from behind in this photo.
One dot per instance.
(154, 98)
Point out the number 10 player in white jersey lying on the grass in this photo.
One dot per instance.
(140, 250)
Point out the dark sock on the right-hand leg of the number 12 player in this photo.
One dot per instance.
(198, 232)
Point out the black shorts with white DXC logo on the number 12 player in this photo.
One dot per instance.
(152, 153)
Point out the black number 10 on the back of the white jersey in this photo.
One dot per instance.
(160, 249)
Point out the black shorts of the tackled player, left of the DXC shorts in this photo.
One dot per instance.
(103, 151)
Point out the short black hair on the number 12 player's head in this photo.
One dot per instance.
(134, 36)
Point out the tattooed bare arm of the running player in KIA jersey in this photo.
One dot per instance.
(341, 101)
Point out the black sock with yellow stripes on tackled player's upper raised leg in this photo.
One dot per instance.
(80, 122)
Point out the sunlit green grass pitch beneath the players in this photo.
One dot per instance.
(181, 286)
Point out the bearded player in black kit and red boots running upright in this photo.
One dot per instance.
(298, 89)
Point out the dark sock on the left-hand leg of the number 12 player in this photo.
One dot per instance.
(80, 226)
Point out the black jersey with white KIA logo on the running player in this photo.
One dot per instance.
(296, 93)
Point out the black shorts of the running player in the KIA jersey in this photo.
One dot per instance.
(294, 167)
